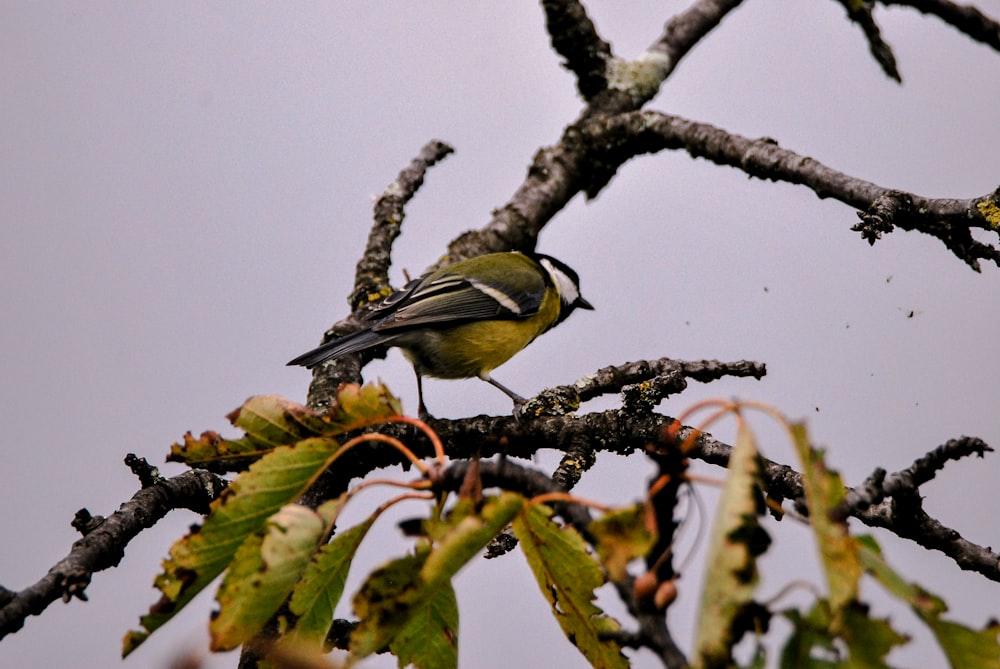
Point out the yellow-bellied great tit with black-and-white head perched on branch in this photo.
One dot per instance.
(468, 318)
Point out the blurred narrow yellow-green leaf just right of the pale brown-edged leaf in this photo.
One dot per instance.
(824, 494)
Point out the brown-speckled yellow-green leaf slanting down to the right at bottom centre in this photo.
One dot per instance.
(568, 575)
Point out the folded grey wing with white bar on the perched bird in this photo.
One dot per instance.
(452, 298)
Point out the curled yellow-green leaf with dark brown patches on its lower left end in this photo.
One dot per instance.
(397, 591)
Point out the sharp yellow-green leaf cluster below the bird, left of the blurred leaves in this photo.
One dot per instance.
(286, 563)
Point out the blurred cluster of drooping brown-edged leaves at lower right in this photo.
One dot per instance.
(839, 630)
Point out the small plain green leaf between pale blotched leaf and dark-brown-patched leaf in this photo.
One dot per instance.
(316, 596)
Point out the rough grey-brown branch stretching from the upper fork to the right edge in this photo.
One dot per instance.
(616, 139)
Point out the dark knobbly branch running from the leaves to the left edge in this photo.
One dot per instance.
(104, 543)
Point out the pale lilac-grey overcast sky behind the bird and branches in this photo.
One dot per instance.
(185, 188)
